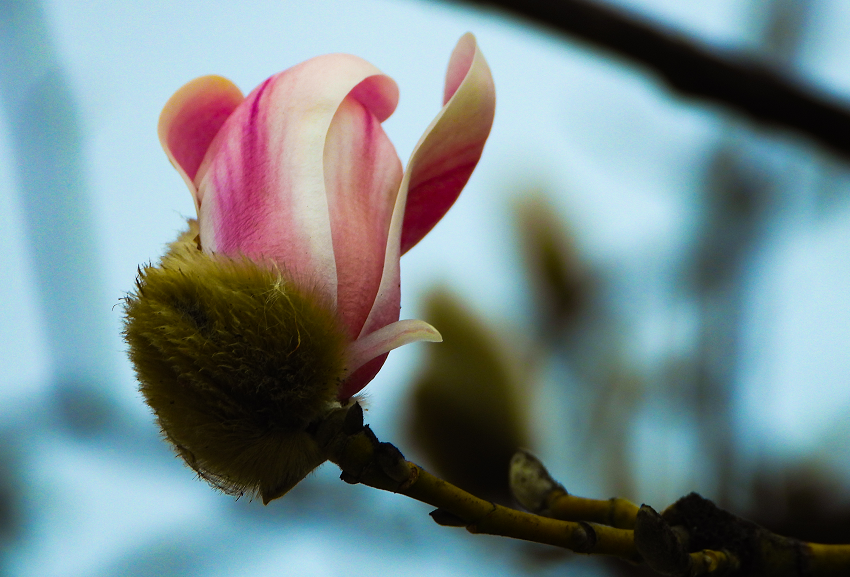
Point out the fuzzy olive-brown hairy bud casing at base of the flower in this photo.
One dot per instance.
(236, 362)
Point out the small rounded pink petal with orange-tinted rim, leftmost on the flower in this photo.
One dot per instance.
(191, 119)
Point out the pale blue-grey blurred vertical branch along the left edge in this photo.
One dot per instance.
(46, 147)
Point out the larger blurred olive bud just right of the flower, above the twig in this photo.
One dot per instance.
(468, 412)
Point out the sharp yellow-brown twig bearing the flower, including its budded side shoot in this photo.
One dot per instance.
(692, 538)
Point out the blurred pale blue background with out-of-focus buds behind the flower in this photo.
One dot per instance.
(647, 291)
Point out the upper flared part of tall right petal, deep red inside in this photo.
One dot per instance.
(449, 150)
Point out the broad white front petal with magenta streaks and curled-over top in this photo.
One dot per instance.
(263, 179)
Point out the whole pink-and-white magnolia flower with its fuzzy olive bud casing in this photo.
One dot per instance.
(282, 301)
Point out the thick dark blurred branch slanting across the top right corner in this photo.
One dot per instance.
(745, 86)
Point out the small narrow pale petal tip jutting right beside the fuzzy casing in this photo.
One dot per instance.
(367, 354)
